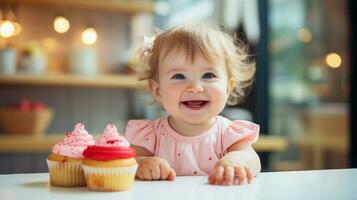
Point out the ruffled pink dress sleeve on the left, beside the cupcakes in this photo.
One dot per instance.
(141, 133)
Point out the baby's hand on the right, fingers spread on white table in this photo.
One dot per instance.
(228, 173)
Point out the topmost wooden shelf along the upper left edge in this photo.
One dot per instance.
(123, 6)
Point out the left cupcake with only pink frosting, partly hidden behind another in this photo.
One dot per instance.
(65, 161)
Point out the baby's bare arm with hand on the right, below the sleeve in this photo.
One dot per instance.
(240, 165)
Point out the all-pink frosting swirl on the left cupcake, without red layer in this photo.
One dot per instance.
(74, 142)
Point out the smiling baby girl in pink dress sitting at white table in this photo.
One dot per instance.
(193, 71)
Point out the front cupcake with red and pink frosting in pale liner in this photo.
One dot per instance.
(109, 164)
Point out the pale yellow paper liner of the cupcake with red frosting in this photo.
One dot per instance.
(110, 179)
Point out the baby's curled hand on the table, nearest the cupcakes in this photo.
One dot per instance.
(155, 168)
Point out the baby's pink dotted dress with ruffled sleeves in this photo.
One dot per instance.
(195, 155)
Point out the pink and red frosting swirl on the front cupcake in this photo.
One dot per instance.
(109, 146)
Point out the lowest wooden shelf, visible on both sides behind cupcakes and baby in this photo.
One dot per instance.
(43, 144)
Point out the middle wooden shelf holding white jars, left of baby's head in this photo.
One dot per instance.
(99, 81)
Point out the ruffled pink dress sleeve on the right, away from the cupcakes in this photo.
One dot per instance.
(239, 130)
